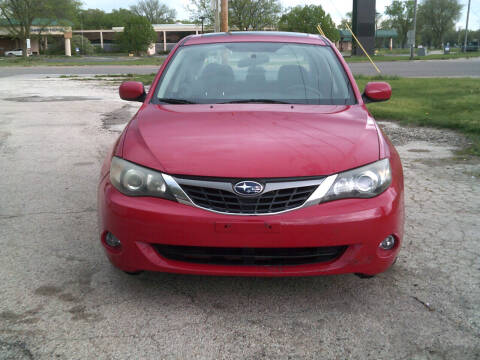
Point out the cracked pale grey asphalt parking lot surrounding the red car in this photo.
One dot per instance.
(61, 299)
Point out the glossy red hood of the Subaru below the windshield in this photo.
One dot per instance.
(251, 140)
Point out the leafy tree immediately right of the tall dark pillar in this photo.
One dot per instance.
(400, 17)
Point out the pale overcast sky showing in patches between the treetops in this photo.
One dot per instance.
(336, 8)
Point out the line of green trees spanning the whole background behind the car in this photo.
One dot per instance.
(436, 19)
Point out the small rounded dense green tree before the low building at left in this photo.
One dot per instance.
(137, 35)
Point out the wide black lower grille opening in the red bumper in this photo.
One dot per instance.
(249, 256)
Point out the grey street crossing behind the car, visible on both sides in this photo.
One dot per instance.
(416, 68)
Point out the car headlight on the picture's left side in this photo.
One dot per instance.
(134, 180)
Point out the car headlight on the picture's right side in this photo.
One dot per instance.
(364, 182)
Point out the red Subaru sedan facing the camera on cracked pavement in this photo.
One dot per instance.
(253, 154)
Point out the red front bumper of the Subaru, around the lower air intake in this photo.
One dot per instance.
(359, 224)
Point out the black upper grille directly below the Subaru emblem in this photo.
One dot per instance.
(229, 202)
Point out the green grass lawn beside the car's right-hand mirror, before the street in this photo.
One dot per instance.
(451, 103)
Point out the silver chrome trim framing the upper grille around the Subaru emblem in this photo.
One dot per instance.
(174, 184)
